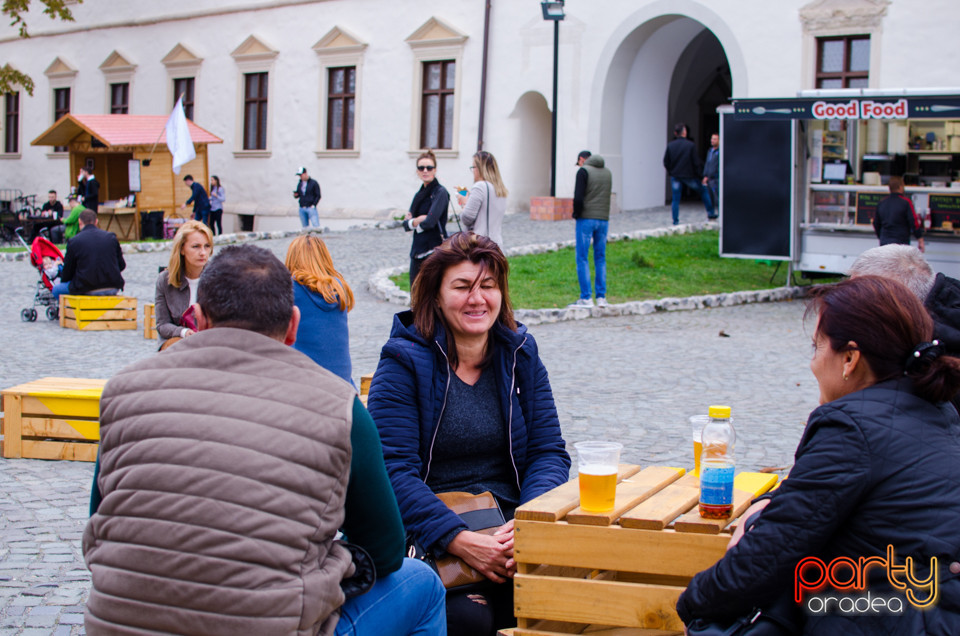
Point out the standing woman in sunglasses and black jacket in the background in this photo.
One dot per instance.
(427, 218)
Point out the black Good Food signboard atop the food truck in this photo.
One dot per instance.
(857, 107)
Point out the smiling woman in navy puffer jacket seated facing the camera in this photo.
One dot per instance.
(463, 403)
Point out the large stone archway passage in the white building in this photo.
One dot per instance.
(671, 60)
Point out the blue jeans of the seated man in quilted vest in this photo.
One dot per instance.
(409, 601)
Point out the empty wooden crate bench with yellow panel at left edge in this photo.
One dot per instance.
(52, 418)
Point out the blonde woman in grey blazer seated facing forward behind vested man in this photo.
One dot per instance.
(177, 285)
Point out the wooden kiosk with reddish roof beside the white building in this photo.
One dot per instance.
(119, 149)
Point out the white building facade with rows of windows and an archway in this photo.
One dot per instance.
(353, 89)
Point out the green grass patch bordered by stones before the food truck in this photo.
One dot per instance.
(667, 266)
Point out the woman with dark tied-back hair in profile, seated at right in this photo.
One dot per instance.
(874, 481)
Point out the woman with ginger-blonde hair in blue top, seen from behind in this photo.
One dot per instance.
(324, 298)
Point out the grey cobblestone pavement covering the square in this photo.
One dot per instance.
(633, 379)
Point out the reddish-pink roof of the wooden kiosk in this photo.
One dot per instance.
(118, 130)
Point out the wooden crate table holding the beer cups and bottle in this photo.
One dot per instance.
(580, 571)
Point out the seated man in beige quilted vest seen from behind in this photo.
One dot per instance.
(227, 465)
